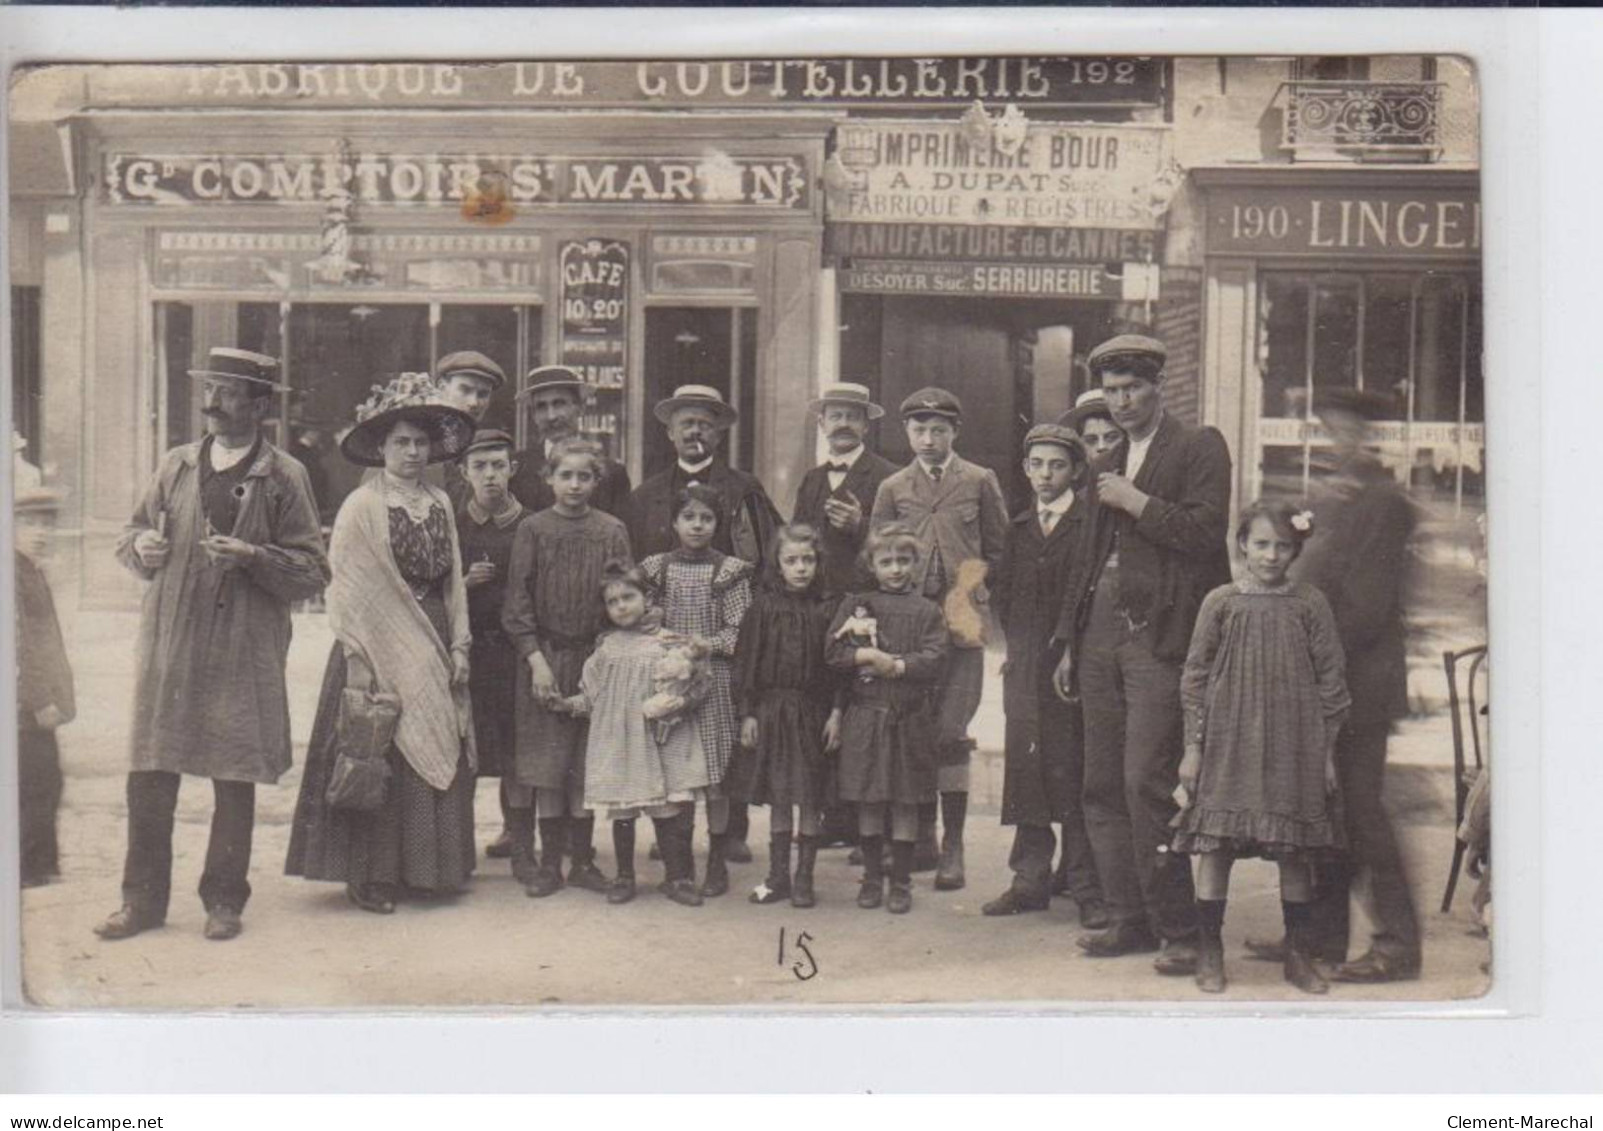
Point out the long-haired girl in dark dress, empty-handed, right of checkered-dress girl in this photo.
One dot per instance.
(791, 718)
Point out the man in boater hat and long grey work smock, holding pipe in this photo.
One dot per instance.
(227, 536)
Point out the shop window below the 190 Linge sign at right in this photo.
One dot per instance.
(1413, 337)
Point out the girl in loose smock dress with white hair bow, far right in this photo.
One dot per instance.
(1264, 696)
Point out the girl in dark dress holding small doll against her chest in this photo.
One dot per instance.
(887, 735)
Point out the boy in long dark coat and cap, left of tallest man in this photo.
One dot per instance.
(1046, 751)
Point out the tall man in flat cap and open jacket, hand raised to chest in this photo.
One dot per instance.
(1155, 549)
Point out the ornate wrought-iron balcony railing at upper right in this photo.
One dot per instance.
(1362, 119)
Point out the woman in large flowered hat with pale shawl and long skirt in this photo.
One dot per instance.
(400, 613)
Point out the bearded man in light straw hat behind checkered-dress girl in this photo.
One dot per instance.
(698, 417)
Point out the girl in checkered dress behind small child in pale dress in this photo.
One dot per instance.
(706, 594)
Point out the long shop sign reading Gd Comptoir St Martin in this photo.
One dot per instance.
(456, 180)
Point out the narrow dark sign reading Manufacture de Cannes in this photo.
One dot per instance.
(1001, 243)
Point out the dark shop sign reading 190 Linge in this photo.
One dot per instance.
(1383, 222)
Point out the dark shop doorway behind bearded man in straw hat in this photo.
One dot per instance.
(701, 345)
